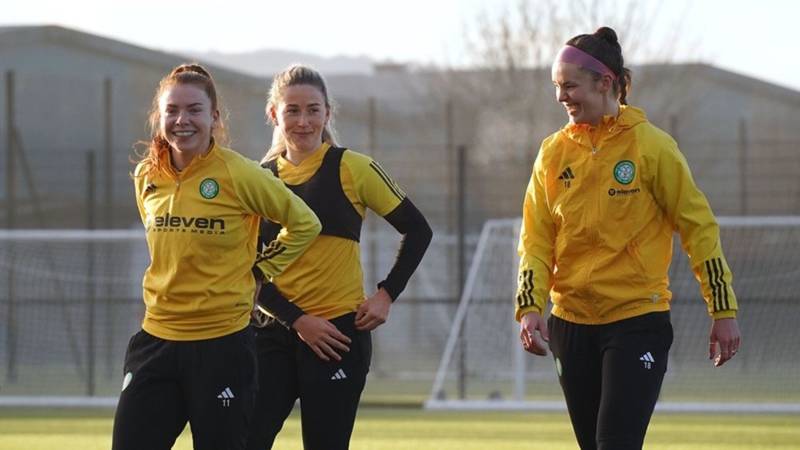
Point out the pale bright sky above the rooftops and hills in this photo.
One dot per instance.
(755, 38)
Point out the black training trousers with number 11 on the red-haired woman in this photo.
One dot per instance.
(210, 383)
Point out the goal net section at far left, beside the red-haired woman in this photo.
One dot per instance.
(69, 301)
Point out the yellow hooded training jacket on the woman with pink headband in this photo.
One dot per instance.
(598, 219)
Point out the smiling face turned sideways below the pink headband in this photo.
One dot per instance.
(584, 97)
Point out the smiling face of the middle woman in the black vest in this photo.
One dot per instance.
(301, 115)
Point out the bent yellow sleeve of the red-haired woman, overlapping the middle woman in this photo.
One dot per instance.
(263, 194)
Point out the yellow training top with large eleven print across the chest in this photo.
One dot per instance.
(202, 225)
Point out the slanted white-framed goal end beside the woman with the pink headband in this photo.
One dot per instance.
(481, 365)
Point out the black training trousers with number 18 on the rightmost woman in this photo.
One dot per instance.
(611, 376)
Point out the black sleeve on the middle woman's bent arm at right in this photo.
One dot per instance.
(417, 234)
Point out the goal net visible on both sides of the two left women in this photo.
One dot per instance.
(71, 299)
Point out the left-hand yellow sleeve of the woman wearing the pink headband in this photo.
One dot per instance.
(536, 242)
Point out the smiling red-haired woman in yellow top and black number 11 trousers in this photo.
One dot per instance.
(201, 205)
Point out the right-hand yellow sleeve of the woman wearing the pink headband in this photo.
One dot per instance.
(689, 212)
